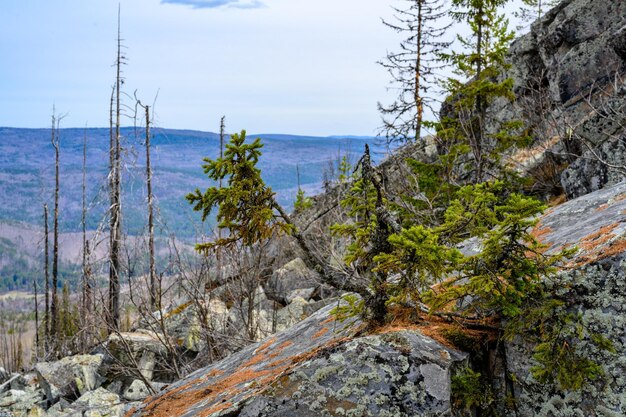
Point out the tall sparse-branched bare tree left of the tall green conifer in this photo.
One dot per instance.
(413, 67)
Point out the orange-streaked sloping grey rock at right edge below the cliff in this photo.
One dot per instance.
(595, 279)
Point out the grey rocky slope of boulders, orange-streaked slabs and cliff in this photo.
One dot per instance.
(567, 74)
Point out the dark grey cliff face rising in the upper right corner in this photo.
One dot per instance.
(569, 81)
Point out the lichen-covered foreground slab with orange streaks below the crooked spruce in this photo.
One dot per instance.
(318, 367)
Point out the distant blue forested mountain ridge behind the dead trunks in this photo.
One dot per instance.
(27, 168)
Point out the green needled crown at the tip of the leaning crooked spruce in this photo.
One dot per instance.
(245, 204)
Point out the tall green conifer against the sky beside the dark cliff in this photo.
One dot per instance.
(481, 61)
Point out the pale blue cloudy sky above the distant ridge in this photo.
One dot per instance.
(270, 66)
